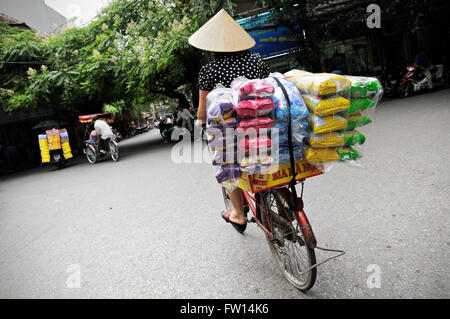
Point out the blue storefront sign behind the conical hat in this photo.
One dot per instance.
(271, 40)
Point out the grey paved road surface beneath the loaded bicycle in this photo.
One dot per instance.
(146, 227)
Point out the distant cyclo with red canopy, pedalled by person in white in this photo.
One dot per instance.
(90, 145)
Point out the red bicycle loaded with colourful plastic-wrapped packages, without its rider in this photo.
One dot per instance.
(265, 136)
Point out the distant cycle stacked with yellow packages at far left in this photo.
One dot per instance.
(55, 147)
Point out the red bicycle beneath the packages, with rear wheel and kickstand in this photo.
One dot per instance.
(288, 232)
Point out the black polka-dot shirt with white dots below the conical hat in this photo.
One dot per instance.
(228, 66)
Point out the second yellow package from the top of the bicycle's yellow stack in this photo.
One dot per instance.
(326, 106)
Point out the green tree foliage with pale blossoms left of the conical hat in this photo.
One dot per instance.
(133, 53)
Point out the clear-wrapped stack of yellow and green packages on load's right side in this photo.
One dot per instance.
(337, 105)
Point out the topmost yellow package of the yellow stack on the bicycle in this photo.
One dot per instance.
(317, 84)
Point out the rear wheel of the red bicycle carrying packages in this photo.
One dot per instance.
(287, 245)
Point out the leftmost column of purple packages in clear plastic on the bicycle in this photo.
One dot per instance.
(220, 126)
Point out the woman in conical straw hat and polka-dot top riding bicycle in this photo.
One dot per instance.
(229, 43)
